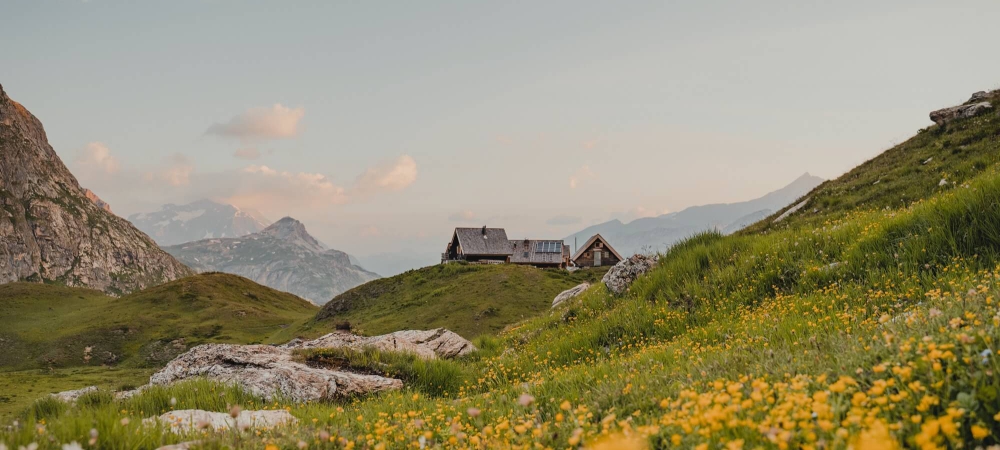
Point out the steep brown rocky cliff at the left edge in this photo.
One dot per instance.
(51, 231)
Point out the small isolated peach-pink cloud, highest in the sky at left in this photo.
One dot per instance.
(276, 122)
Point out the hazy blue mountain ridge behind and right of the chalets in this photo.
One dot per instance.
(658, 233)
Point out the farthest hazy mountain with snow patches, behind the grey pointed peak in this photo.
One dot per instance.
(203, 219)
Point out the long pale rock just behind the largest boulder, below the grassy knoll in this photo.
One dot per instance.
(427, 344)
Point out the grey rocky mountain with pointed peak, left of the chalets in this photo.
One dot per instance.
(283, 256)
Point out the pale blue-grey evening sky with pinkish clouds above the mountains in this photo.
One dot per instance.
(383, 125)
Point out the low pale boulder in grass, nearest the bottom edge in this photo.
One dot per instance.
(184, 420)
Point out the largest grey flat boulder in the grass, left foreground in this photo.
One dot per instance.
(268, 371)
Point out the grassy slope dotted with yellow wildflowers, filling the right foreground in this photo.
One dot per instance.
(875, 327)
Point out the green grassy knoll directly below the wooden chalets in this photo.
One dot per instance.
(468, 299)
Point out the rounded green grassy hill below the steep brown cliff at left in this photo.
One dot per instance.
(51, 326)
